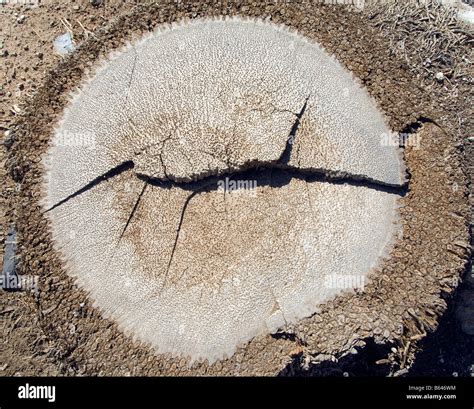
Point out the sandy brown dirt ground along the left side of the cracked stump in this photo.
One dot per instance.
(27, 55)
